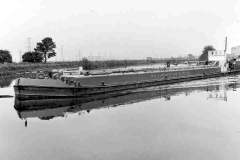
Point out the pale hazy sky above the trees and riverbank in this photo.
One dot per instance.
(126, 29)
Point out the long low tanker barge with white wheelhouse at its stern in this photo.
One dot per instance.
(85, 84)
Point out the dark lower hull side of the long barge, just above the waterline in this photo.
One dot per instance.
(37, 92)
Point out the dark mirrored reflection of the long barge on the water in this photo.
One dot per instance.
(46, 109)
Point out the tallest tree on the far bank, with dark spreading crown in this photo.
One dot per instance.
(46, 48)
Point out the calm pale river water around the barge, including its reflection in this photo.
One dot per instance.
(193, 120)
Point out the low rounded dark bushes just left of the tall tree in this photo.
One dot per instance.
(32, 57)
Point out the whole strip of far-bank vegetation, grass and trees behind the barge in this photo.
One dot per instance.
(44, 50)
